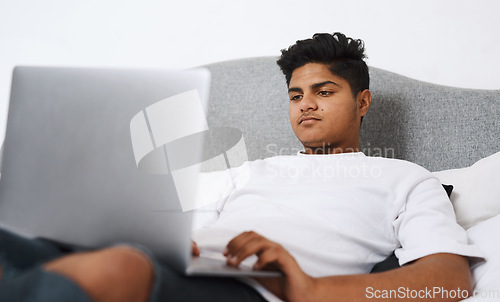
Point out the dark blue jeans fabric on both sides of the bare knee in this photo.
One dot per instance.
(24, 280)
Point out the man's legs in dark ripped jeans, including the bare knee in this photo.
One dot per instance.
(120, 273)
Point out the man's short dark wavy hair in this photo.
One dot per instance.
(343, 56)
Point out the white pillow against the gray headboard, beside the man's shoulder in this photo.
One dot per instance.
(476, 190)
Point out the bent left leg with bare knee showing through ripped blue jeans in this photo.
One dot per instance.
(120, 273)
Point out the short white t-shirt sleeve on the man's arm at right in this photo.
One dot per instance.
(427, 225)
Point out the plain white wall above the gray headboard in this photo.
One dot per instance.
(450, 42)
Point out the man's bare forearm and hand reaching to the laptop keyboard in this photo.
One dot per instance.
(438, 277)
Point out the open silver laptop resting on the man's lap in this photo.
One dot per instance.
(82, 161)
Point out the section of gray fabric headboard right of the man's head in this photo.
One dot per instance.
(435, 126)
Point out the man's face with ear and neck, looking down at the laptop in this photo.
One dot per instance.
(323, 111)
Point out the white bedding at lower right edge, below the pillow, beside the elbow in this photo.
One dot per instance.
(486, 275)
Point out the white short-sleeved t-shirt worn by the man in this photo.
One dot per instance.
(338, 214)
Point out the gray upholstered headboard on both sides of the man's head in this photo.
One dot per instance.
(435, 126)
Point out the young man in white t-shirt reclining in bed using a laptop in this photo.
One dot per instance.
(323, 217)
